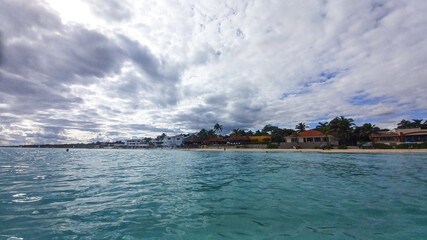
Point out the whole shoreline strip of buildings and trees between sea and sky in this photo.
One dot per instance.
(340, 132)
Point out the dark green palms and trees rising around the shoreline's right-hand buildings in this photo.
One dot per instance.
(347, 132)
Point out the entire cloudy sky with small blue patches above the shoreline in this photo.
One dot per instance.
(85, 71)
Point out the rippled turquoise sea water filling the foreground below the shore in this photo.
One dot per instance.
(155, 194)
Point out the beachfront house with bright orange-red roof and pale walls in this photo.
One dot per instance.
(309, 139)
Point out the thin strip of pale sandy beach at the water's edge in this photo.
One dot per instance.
(313, 150)
